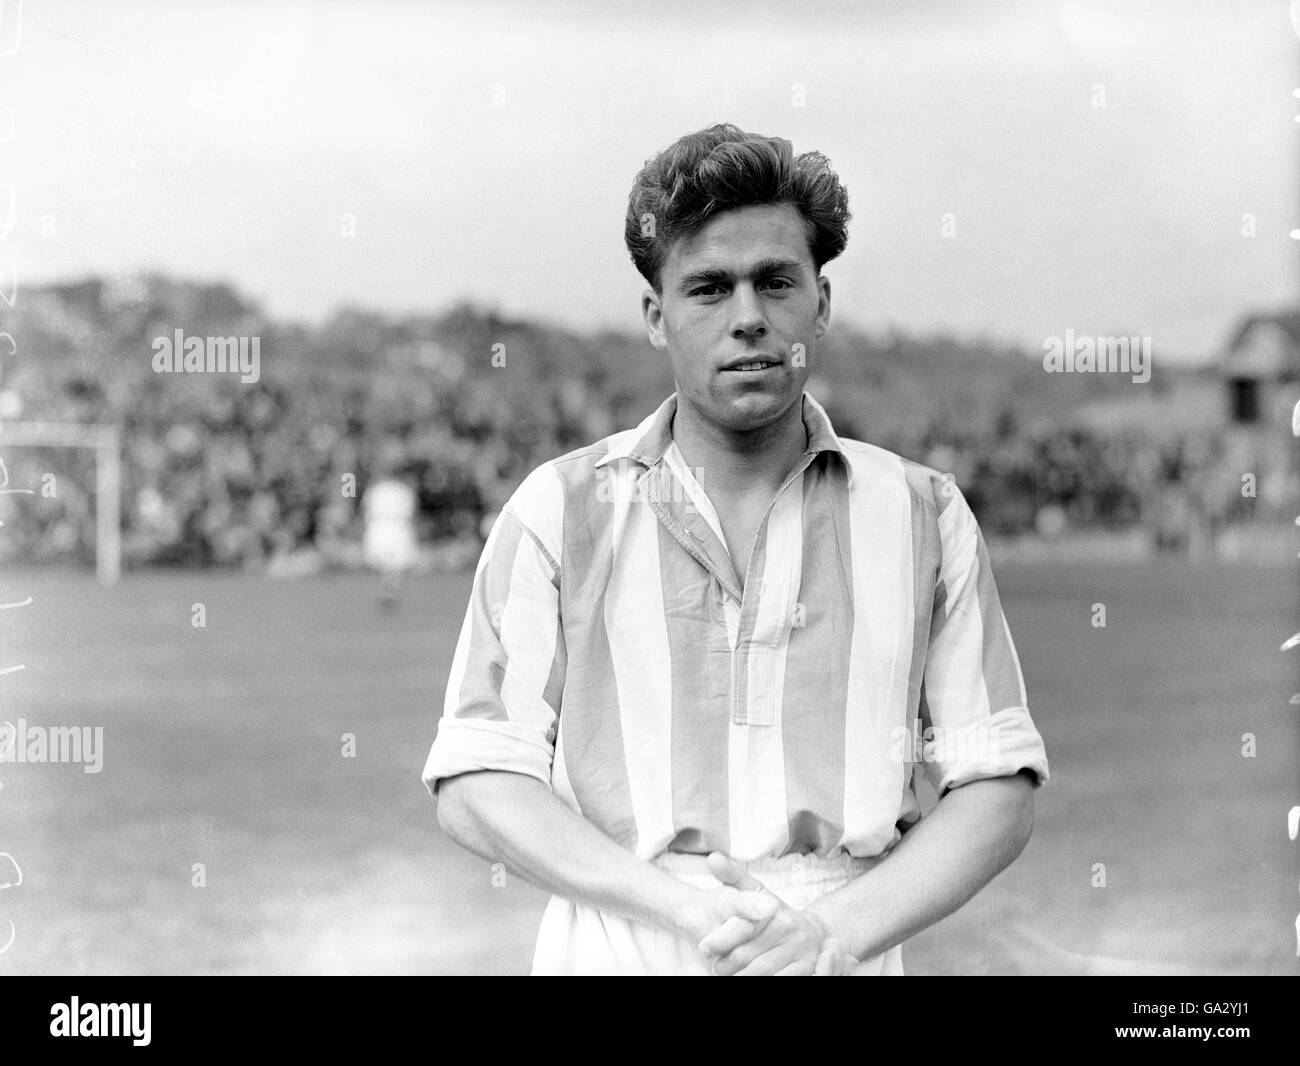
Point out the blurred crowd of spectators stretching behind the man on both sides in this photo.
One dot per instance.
(222, 474)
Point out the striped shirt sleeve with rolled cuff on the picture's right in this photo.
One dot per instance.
(974, 707)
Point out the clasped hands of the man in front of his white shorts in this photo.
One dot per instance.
(746, 930)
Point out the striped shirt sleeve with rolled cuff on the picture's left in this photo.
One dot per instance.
(505, 688)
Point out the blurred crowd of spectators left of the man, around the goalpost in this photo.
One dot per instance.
(222, 474)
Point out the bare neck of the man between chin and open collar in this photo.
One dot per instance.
(738, 462)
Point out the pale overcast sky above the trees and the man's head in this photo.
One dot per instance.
(1098, 158)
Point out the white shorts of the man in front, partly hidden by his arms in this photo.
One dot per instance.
(577, 939)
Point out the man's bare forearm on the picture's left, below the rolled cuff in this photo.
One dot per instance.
(515, 820)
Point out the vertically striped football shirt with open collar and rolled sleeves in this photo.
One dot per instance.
(610, 653)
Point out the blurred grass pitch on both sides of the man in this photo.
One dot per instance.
(224, 748)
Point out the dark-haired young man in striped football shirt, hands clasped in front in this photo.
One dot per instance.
(695, 651)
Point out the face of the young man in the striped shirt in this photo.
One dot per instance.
(739, 297)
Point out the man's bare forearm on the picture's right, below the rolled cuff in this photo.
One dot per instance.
(974, 834)
